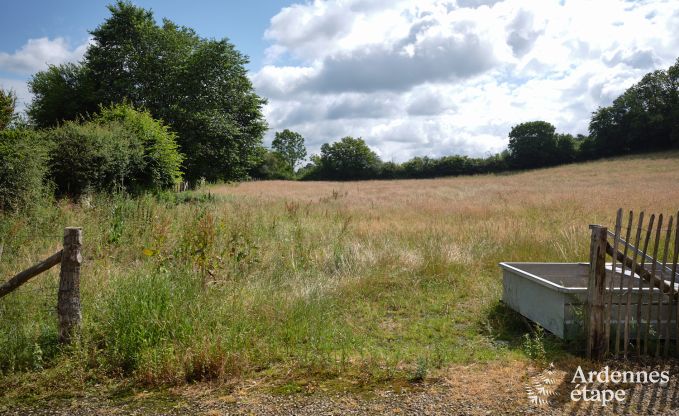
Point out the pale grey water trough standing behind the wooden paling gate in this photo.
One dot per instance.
(553, 295)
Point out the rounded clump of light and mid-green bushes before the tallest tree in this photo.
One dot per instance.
(121, 149)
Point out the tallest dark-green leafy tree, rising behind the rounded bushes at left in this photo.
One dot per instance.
(198, 86)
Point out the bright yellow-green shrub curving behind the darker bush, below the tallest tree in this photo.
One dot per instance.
(160, 166)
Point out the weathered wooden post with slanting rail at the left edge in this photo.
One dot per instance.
(68, 299)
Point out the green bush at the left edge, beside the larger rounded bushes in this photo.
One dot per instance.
(23, 155)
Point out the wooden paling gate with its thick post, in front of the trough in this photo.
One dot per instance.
(632, 302)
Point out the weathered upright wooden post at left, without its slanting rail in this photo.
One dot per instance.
(68, 306)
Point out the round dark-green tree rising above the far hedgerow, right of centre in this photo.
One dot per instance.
(532, 145)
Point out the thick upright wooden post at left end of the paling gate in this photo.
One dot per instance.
(596, 291)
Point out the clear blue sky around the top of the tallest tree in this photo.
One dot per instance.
(243, 22)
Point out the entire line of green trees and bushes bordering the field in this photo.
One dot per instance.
(153, 104)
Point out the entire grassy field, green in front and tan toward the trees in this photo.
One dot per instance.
(363, 282)
